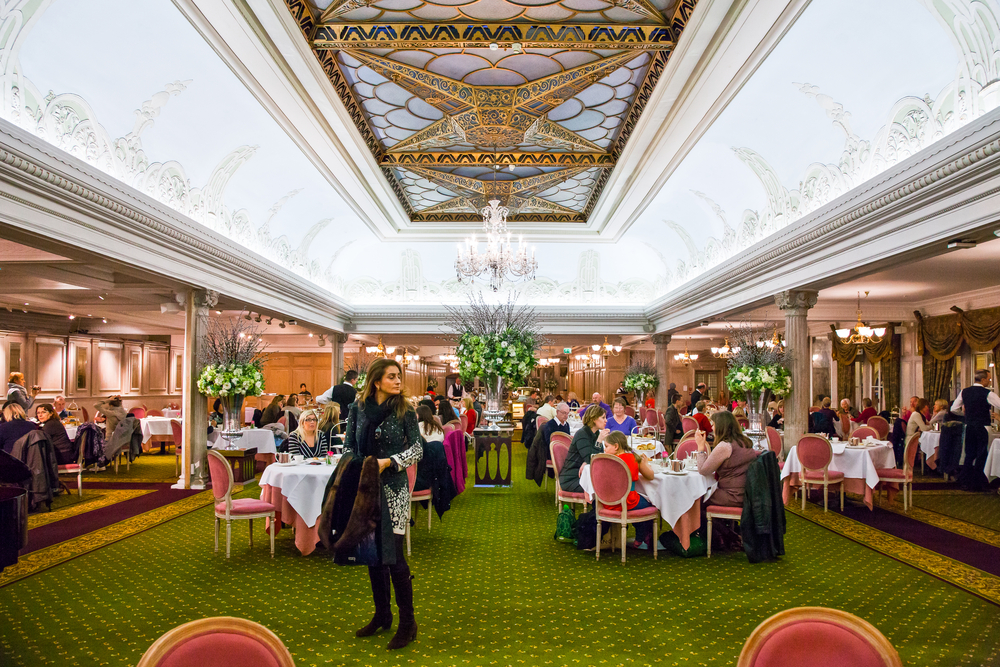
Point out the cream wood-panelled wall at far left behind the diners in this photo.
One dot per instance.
(85, 369)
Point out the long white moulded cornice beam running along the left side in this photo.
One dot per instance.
(52, 197)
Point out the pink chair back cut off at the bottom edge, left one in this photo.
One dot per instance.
(221, 641)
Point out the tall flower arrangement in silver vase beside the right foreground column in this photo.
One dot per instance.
(758, 370)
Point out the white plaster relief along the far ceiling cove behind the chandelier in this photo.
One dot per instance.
(587, 287)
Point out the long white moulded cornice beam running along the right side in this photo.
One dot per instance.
(949, 190)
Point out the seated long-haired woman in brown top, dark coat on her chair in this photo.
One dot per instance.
(727, 461)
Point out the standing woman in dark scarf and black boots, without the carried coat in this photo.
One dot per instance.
(382, 424)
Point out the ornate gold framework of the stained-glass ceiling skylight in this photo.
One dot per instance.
(511, 119)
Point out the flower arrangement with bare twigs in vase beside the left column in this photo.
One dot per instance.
(232, 369)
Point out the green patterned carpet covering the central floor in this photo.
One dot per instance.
(492, 588)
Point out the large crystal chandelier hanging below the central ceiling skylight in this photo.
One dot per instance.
(499, 259)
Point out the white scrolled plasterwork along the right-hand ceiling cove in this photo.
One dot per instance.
(912, 124)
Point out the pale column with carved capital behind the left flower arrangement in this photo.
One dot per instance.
(194, 449)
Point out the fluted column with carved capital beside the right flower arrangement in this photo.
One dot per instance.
(796, 304)
